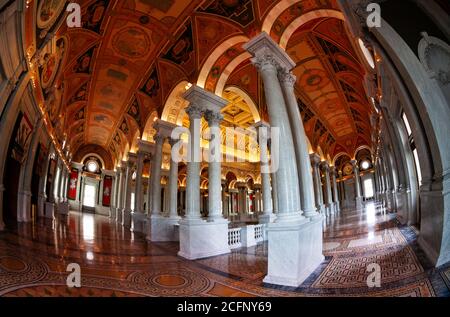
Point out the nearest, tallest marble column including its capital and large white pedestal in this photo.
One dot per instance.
(294, 241)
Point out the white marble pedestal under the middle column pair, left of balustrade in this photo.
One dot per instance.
(201, 239)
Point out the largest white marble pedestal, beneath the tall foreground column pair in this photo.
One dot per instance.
(295, 252)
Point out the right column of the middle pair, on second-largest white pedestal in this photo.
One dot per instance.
(214, 167)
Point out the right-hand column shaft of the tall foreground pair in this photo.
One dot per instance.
(288, 80)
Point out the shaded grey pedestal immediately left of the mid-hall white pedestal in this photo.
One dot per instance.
(163, 229)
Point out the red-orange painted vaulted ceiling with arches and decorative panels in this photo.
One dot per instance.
(109, 76)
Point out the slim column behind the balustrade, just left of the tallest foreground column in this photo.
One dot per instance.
(267, 215)
